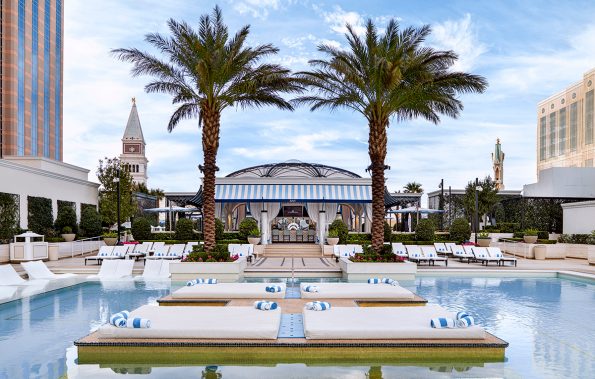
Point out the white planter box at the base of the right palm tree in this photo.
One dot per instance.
(363, 271)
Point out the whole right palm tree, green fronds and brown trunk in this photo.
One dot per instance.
(384, 77)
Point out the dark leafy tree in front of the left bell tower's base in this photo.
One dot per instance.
(108, 193)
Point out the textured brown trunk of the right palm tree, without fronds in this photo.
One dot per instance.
(377, 151)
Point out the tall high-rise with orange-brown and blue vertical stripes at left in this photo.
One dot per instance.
(31, 78)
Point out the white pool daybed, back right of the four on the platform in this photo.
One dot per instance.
(359, 291)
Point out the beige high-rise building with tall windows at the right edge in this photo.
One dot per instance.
(565, 126)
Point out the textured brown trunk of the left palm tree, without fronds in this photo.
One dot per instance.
(210, 145)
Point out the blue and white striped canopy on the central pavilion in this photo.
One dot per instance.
(293, 192)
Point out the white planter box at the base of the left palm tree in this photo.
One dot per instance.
(224, 271)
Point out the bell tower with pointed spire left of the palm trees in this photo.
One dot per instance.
(133, 157)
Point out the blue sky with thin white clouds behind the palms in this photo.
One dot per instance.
(526, 50)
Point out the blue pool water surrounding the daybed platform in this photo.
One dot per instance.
(547, 321)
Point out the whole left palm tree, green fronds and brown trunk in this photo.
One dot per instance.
(205, 71)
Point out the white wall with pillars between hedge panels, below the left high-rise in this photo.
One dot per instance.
(57, 181)
